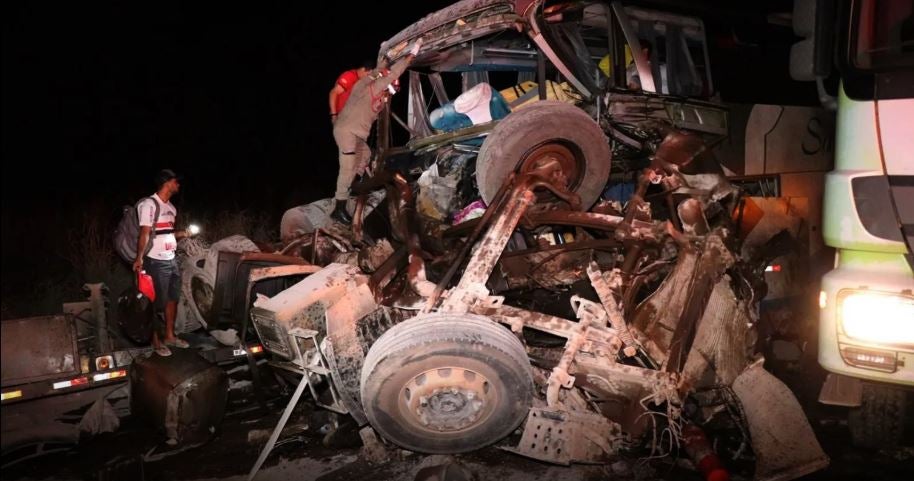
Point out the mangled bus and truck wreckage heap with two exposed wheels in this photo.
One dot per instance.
(553, 325)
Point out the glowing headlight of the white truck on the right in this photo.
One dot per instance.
(877, 317)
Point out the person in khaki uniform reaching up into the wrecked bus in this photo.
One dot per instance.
(353, 125)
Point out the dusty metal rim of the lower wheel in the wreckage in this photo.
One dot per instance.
(448, 399)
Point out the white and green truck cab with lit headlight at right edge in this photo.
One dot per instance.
(866, 328)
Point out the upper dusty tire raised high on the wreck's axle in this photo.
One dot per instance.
(547, 127)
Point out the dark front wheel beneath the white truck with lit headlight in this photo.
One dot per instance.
(879, 421)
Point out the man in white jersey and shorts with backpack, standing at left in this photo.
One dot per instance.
(159, 260)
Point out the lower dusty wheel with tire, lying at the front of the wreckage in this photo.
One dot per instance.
(445, 384)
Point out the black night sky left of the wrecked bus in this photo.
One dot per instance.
(97, 96)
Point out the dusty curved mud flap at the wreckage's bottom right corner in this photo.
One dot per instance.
(784, 443)
